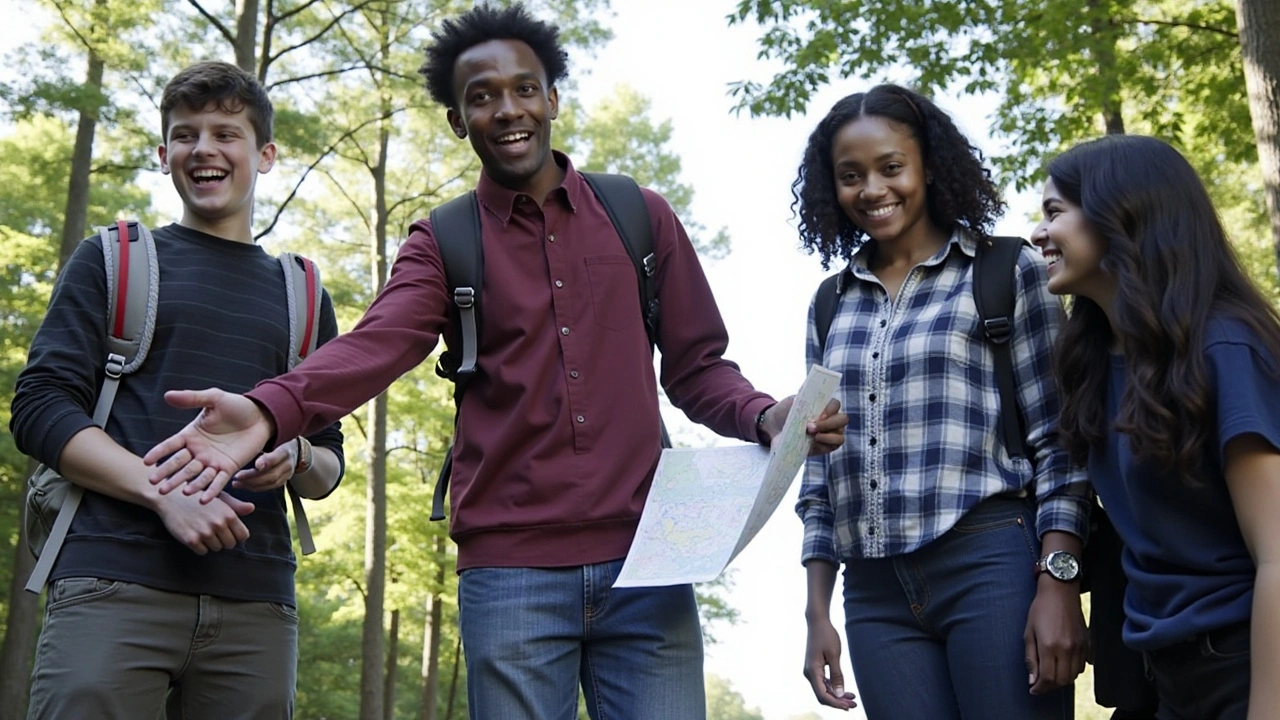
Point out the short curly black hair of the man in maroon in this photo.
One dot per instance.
(482, 25)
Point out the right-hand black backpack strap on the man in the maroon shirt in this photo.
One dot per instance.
(625, 204)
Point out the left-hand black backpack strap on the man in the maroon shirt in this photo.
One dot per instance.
(456, 227)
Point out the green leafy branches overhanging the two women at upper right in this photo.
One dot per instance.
(1060, 71)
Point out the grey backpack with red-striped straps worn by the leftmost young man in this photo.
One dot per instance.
(132, 290)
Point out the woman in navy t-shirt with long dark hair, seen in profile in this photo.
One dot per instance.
(1172, 397)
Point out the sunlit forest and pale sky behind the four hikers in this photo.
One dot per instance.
(708, 102)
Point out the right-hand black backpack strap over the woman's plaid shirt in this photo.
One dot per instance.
(995, 297)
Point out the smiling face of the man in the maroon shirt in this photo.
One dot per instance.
(506, 108)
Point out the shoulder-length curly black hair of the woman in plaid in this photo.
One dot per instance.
(962, 193)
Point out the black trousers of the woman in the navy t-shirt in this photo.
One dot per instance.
(1206, 678)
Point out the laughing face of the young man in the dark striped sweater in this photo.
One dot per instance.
(214, 160)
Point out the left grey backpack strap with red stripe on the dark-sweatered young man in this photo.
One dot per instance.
(132, 291)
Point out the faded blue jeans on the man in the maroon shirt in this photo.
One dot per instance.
(532, 636)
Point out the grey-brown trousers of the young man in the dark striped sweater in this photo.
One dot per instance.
(122, 651)
